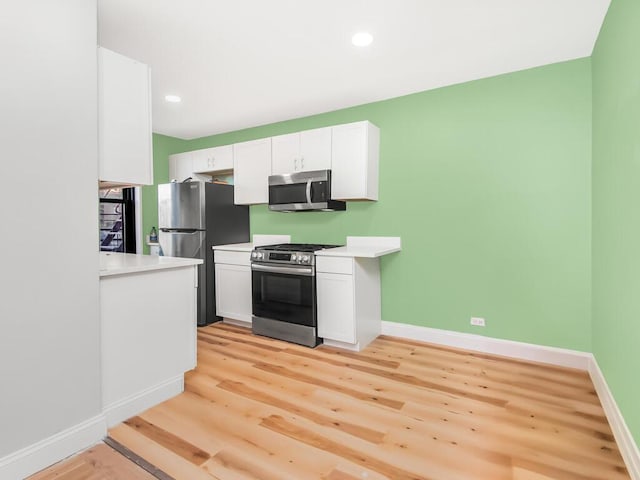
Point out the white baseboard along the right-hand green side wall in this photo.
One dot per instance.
(624, 439)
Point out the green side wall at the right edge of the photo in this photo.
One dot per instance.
(616, 206)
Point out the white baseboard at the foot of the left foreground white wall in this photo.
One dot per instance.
(40, 455)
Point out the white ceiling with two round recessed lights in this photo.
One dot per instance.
(243, 63)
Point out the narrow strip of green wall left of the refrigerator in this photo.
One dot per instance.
(163, 146)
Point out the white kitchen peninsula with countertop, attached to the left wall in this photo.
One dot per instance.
(148, 318)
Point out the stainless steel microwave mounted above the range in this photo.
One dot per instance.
(302, 191)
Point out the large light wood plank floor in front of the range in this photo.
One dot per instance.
(257, 408)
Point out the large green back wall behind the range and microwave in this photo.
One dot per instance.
(488, 184)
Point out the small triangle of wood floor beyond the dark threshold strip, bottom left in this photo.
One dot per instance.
(98, 463)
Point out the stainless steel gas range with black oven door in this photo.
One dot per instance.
(284, 292)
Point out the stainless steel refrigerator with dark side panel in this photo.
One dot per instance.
(192, 217)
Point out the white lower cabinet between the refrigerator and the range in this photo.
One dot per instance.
(233, 285)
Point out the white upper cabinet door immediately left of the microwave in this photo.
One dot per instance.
(251, 170)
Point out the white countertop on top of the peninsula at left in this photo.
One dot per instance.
(125, 263)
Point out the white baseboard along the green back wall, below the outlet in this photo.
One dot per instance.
(508, 348)
